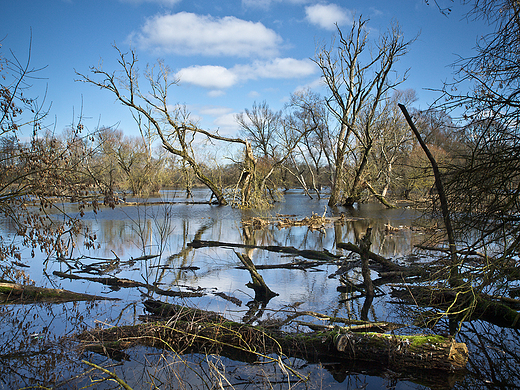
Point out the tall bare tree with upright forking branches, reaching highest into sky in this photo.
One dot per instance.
(357, 89)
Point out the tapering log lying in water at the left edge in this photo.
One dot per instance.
(18, 293)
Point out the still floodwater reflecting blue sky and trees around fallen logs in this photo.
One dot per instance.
(37, 341)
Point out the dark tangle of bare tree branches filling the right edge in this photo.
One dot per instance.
(483, 183)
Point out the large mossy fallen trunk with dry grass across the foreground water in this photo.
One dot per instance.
(194, 330)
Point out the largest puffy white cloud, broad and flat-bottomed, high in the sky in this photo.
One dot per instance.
(189, 34)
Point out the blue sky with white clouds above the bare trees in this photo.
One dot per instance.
(226, 54)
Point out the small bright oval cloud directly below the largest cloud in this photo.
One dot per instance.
(208, 76)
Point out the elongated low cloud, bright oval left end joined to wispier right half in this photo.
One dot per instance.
(218, 77)
